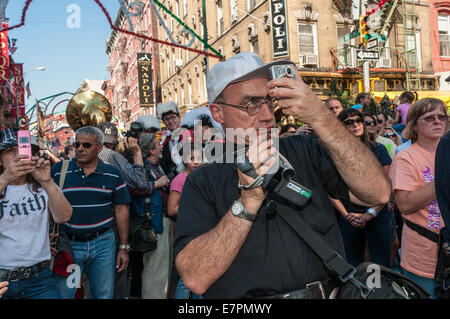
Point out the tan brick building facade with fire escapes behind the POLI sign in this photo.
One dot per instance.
(313, 34)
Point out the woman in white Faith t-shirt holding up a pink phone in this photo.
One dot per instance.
(27, 194)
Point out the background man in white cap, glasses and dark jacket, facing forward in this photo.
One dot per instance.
(169, 113)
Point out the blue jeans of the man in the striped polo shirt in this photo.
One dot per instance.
(98, 259)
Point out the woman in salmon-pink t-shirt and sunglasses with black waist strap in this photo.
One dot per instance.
(412, 175)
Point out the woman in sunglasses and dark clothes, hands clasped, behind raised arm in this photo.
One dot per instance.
(361, 224)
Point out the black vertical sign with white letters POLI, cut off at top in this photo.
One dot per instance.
(279, 28)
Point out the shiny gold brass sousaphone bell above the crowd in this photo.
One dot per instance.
(88, 108)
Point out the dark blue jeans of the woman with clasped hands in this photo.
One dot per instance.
(378, 234)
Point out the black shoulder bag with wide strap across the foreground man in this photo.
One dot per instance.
(353, 283)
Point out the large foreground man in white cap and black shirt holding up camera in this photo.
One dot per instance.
(228, 244)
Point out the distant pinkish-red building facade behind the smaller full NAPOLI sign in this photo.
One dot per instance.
(123, 90)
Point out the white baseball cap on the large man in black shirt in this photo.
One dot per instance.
(241, 67)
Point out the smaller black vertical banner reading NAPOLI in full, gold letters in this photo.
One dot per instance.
(145, 79)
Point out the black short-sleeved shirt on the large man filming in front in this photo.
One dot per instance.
(273, 259)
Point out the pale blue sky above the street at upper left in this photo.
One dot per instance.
(69, 55)
